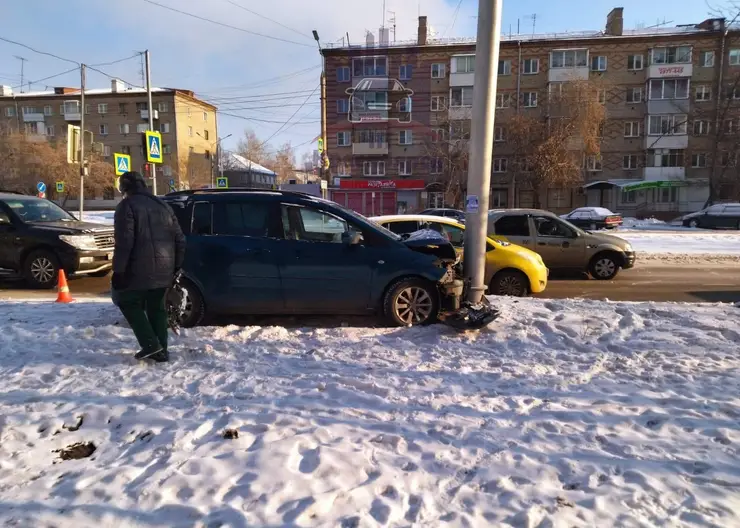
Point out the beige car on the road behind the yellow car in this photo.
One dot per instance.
(562, 245)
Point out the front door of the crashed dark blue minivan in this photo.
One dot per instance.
(321, 272)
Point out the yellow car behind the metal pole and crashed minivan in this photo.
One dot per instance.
(510, 269)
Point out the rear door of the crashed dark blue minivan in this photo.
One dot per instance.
(233, 251)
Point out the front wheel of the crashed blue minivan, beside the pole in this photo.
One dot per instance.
(411, 302)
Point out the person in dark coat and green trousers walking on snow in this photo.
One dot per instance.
(149, 252)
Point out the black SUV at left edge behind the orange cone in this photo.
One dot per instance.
(38, 238)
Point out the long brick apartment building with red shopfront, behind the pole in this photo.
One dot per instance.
(667, 92)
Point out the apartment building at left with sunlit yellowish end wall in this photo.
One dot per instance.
(117, 117)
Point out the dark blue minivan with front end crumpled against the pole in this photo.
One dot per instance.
(267, 252)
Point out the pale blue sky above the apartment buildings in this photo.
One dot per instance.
(240, 70)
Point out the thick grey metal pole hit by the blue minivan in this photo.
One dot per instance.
(481, 146)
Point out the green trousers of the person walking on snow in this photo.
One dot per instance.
(146, 314)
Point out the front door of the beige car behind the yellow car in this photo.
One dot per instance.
(558, 243)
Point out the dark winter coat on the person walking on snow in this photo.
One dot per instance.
(150, 245)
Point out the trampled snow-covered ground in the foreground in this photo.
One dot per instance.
(562, 413)
